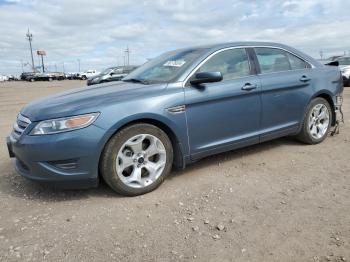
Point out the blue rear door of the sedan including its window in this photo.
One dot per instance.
(286, 87)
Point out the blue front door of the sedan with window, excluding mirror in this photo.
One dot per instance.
(224, 115)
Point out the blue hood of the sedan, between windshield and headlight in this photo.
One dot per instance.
(87, 99)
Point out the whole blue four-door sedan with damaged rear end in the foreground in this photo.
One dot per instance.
(175, 109)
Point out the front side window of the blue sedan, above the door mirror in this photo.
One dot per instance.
(232, 63)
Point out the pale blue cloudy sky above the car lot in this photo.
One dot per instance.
(98, 32)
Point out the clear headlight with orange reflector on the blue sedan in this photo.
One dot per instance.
(58, 125)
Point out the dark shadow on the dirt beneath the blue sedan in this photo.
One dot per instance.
(16, 186)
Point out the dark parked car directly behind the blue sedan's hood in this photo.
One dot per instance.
(111, 74)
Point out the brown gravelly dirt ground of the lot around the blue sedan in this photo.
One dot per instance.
(277, 201)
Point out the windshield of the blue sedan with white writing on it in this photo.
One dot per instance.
(166, 67)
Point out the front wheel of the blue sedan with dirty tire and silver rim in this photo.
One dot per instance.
(125, 167)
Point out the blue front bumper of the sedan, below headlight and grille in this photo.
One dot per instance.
(68, 160)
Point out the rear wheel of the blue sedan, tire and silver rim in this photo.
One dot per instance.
(316, 126)
